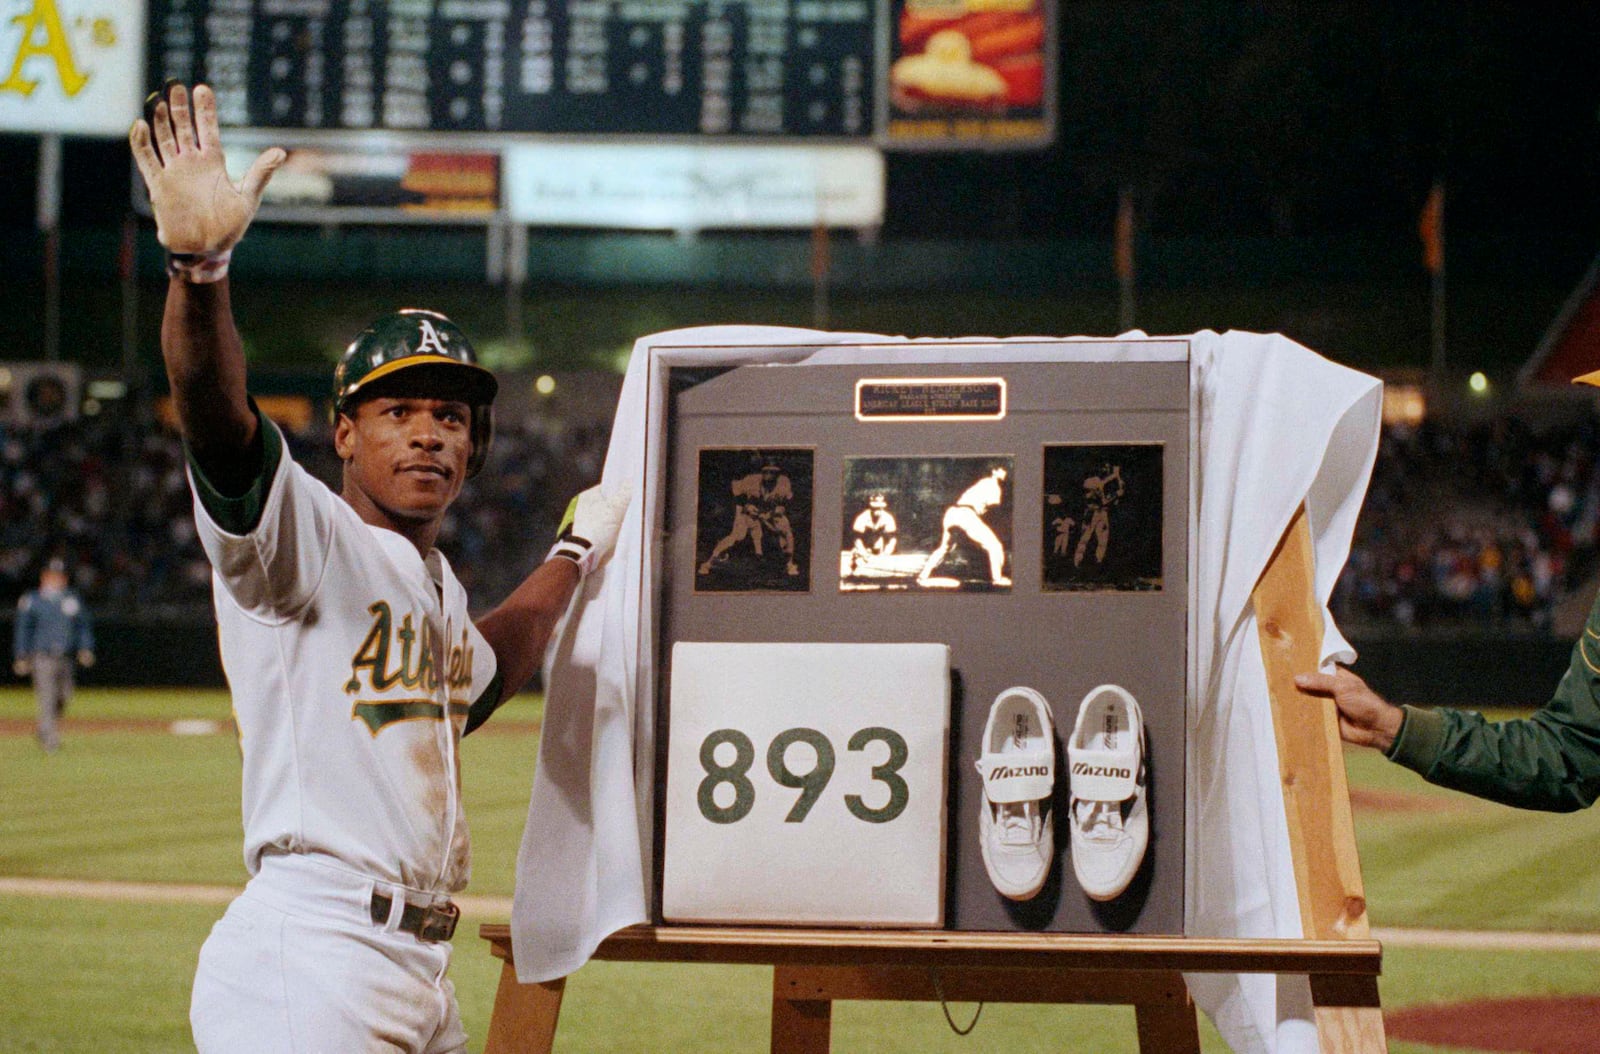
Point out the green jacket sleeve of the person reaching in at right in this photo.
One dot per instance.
(1550, 761)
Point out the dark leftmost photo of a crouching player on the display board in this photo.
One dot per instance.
(753, 530)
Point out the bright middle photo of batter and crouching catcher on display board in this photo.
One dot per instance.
(927, 524)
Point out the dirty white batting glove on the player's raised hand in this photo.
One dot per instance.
(199, 214)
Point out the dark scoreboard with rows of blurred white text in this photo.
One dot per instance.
(764, 68)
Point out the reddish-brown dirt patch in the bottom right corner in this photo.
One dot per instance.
(1524, 1026)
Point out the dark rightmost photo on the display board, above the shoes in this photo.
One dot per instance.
(1103, 517)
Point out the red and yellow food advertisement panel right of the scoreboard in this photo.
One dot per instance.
(970, 73)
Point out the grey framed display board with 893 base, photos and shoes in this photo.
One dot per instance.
(924, 637)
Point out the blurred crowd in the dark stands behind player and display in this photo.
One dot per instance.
(1468, 527)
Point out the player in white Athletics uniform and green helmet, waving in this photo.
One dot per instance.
(345, 634)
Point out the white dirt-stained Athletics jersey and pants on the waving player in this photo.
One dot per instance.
(345, 650)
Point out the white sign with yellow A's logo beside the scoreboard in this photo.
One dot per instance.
(71, 66)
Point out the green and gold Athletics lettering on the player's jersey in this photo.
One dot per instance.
(407, 657)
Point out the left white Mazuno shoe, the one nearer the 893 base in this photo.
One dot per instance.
(1018, 765)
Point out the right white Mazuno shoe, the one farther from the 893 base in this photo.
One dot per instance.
(1111, 826)
